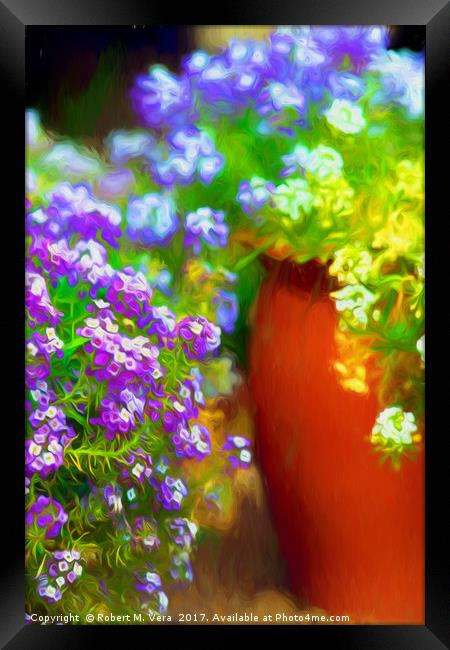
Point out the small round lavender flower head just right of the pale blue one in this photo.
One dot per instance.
(207, 226)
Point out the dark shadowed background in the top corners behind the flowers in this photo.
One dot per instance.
(78, 78)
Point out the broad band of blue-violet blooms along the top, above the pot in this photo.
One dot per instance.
(296, 67)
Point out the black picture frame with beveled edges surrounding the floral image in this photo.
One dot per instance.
(15, 17)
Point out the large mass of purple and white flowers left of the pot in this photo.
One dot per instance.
(112, 388)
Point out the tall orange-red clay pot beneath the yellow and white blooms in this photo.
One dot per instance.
(351, 529)
